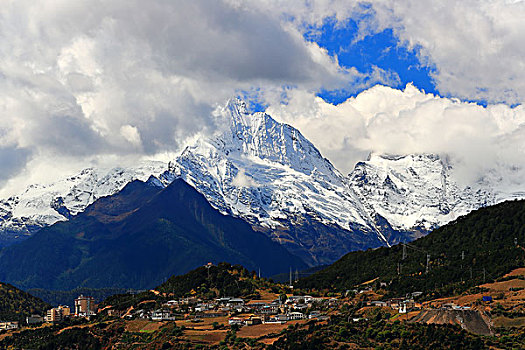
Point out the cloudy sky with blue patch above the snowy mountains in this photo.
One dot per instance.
(140, 79)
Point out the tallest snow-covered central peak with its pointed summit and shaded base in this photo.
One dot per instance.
(270, 175)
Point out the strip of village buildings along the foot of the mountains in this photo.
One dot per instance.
(237, 311)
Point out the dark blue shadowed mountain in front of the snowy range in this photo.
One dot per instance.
(137, 238)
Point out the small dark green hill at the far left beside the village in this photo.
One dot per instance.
(16, 304)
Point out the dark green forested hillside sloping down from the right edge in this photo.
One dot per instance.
(480, 246)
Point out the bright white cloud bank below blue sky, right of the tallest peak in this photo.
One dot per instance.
(386, 120)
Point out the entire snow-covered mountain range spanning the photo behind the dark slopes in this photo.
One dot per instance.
(270, 175)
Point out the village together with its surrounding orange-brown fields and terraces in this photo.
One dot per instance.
(267, 311)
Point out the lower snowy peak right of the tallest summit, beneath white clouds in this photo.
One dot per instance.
(416, 192)
